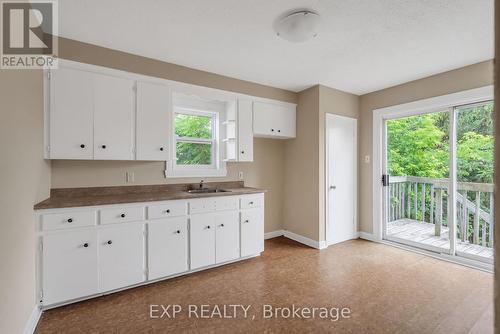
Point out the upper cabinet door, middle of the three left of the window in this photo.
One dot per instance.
(114, 118)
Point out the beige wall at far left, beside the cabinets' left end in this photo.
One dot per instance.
(24, 180)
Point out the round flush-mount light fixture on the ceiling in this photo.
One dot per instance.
(298, 26)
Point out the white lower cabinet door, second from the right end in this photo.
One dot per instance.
(227, 236)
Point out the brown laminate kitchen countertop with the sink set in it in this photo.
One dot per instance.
(78, 197)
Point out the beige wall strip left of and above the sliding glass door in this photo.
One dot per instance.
(468, 77)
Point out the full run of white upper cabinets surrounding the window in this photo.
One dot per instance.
(94, 112)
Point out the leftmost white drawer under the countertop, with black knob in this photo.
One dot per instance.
(57, 221)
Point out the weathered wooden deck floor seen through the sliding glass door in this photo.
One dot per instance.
(417, 232)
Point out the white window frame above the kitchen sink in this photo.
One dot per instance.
(218, 167)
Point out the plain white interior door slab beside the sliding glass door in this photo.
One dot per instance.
(341, 162)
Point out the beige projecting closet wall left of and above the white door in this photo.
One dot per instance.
(304, 208)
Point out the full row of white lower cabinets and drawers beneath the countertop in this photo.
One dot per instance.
(95, 250)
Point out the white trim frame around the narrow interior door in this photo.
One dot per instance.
(332, 117)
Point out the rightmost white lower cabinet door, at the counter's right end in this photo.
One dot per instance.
(252, 232)
